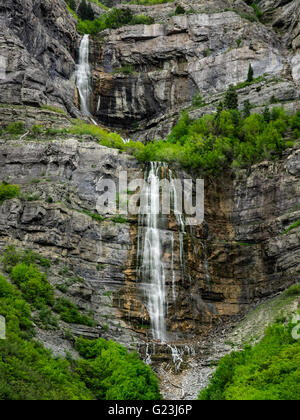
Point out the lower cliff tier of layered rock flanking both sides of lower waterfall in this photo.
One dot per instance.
(236, 258)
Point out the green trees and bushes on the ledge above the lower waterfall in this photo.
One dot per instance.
(226, 139)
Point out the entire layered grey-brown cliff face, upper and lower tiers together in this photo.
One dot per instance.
(143, 77)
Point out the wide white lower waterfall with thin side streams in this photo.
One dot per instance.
(152, 270)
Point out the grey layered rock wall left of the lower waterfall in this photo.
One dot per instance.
(59, 180)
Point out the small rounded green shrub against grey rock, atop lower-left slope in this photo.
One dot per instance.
(33, 284)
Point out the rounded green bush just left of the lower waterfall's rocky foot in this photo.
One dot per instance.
(112, 373)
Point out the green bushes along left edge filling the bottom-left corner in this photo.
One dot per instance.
(27, 370)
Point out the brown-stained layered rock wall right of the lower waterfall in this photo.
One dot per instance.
(244, 230)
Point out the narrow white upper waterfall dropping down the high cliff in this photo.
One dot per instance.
(83, 78)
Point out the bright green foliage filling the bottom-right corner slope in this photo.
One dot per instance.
(268, 371)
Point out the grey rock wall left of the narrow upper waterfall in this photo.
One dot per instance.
(37, 43)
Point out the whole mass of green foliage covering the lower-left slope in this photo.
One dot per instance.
(30, 372)
